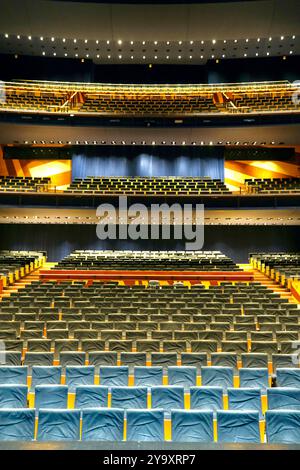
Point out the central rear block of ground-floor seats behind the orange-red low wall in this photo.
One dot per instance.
(147, 260)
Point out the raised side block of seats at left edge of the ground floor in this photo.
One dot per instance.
(15, 264)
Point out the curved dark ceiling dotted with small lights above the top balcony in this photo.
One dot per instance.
(160, 33)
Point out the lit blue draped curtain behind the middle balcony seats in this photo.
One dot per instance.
(148, 161)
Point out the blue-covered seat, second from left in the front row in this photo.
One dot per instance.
(58, 425)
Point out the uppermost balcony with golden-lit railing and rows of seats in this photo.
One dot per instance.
(140, 101)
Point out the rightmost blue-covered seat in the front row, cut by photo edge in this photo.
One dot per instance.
(283, 427)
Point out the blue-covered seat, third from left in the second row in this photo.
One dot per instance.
(91, 396)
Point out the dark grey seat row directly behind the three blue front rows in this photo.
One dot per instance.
(162, 361)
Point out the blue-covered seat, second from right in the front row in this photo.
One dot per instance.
(238, 426)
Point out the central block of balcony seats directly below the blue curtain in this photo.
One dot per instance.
(187, 186)
